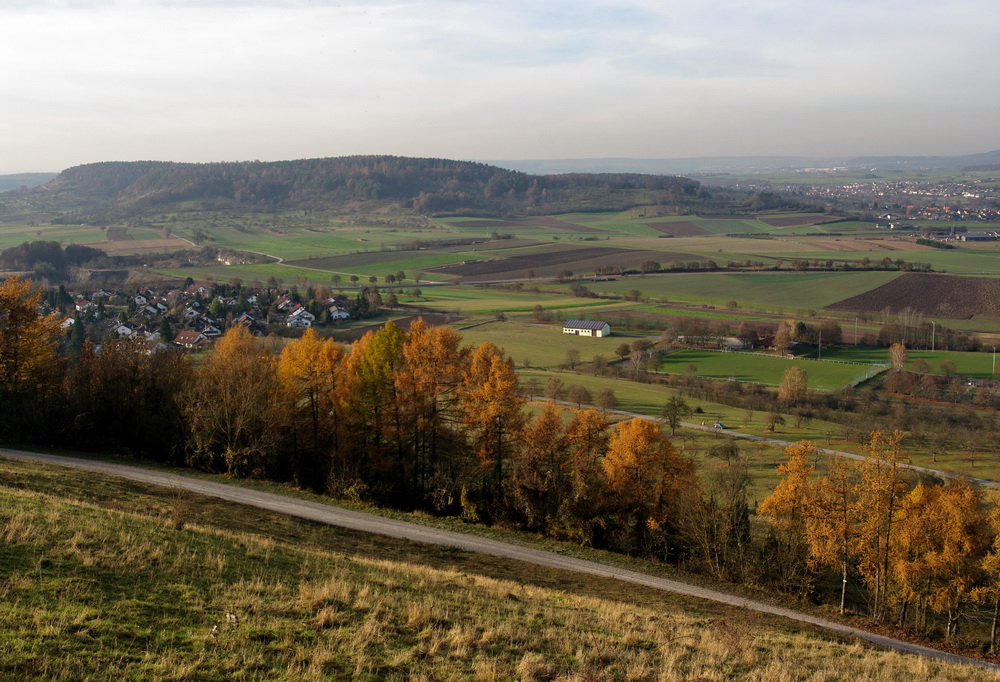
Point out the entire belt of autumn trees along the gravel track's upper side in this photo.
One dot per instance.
(417, 420)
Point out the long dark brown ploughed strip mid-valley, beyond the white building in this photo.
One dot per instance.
(583, 261)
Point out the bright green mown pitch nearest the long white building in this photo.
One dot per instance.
(761, 369)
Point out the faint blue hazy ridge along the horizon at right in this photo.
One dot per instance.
(750, 164)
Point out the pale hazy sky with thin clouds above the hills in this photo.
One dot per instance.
(211, 80)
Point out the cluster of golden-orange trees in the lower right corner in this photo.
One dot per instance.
(919, 548)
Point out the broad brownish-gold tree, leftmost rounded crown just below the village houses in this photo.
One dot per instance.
(234, 408)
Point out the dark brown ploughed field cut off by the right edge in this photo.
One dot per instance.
(945, 296)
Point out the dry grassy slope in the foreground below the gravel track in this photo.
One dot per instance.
(108, 578)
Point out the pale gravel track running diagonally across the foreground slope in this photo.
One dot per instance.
(368, 523)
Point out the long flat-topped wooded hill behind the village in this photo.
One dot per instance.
(115, 190)
